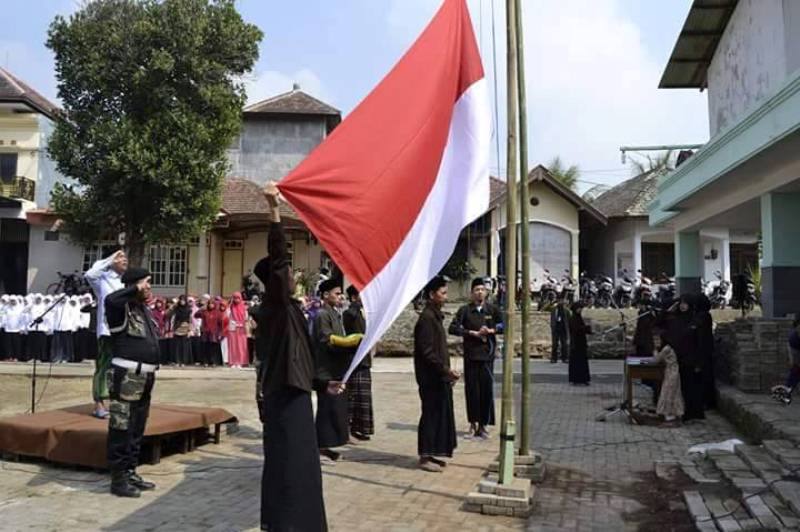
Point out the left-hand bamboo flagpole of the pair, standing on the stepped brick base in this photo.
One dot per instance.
(508, 429)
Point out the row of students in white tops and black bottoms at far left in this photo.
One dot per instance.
(31, 329)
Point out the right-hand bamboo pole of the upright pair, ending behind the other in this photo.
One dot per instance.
(525, 411)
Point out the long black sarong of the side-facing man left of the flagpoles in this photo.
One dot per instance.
(436, 435)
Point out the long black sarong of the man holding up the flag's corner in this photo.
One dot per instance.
(291, 487)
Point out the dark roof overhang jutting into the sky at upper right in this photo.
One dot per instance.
(697, 43)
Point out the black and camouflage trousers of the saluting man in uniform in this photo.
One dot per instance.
(130, 405)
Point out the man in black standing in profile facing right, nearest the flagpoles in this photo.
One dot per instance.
(436, 434)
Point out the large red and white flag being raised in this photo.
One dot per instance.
(388, 193)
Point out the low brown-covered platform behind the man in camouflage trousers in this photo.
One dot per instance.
(72, 436)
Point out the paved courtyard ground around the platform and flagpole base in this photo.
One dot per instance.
(600, 474)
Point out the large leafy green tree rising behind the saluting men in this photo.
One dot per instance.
(152, 95)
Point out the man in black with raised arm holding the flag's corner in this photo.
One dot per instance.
(291, 484)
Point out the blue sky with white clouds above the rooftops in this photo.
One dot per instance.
(593, 66)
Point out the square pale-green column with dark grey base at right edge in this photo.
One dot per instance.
(780, 264)
